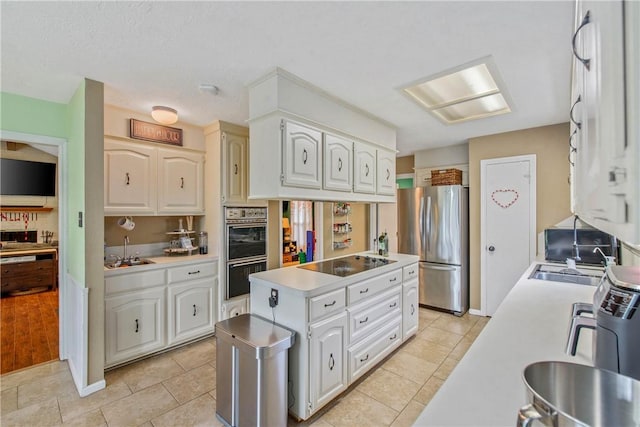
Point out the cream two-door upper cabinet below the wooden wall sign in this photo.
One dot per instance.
(146, 180)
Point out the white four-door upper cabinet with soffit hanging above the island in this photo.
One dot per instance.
(309, 145)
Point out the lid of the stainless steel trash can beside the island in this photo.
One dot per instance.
(252, 333)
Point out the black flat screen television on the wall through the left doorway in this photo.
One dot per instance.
(26, 178)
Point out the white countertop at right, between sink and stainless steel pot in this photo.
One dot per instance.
(531, 325)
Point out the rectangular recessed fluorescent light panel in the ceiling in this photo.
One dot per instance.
(466, 93)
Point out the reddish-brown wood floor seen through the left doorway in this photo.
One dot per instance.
(28, 330)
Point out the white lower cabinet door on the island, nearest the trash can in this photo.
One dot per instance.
(327, 373)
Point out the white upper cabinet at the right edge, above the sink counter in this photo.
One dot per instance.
(603, 144)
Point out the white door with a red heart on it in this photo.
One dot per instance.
(507, 224)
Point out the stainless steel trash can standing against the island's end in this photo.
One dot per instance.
(251, 371)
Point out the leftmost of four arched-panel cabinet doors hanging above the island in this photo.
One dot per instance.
(301, 151)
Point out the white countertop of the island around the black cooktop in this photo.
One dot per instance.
(310, 283)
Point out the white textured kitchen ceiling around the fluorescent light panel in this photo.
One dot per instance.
(157, 53)
